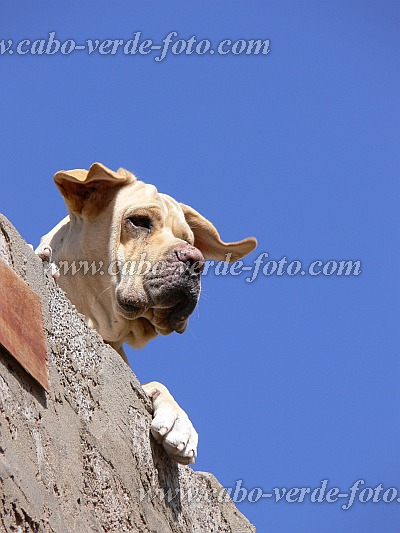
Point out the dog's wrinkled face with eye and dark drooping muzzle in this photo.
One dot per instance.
(159, 272)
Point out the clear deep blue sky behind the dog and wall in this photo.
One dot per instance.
(289, 380)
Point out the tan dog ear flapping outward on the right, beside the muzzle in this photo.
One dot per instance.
(208, 241)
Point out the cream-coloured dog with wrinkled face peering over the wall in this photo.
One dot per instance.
(115, 220)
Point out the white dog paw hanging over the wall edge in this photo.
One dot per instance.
(171, 426)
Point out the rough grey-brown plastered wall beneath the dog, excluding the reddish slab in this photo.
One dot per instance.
(80, 458)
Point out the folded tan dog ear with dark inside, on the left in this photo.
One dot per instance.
(88, 192)
